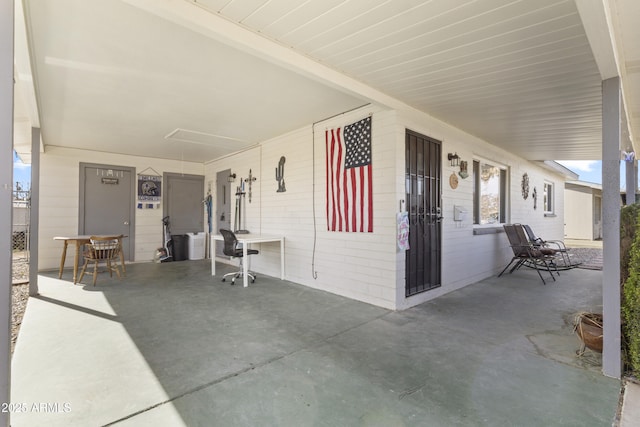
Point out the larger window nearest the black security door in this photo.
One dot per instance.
(489, 193)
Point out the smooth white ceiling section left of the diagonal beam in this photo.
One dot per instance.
(113, 76)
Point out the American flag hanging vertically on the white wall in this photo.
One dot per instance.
(349, 194)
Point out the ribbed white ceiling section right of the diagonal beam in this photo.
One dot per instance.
(462, 61)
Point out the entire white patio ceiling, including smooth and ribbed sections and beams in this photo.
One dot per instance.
(197, 80)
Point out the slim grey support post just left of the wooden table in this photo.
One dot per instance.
(34, 212)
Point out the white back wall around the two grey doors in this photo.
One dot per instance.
(59, 200)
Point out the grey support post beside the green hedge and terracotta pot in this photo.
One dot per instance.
(611, 134)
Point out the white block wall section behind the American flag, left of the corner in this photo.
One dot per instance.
(356, 265)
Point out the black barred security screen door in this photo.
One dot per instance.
(423, 187)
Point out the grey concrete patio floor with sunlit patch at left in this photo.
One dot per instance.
(169, 345)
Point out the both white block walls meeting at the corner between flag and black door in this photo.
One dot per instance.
(368, 266)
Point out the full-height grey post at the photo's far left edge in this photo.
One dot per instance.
(6, 193)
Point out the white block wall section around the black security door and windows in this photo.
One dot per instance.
(468, 257)
